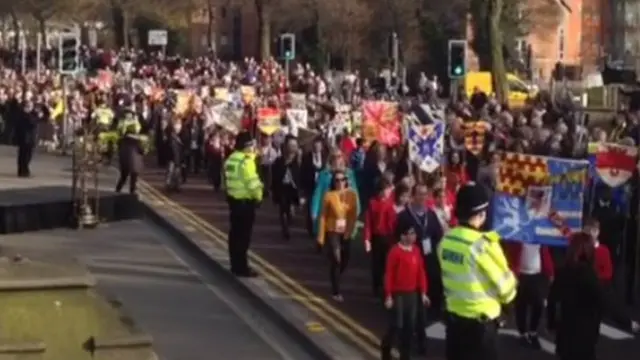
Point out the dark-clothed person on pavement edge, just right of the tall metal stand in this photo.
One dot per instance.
(131, 157)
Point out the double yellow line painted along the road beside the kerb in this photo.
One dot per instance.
(327, 314)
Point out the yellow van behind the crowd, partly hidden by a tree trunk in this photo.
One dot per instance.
(519, 92)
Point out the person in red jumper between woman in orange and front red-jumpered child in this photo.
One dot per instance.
(378, 231)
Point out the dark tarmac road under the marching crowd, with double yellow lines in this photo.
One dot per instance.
(360, 318)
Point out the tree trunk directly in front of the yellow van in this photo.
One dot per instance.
(499, 75)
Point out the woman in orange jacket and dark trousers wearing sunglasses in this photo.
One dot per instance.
(336, 223)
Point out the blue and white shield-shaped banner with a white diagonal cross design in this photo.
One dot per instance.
(426, 145)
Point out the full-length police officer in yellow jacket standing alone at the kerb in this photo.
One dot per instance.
(244, 193)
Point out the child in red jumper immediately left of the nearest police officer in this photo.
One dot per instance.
(405, 290)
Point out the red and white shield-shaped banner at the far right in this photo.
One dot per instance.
(612, 164)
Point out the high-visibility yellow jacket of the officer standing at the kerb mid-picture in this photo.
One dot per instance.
(241, 177)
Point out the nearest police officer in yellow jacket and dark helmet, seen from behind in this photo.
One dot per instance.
(476, 278)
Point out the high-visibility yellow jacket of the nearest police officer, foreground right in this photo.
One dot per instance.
(475, 273)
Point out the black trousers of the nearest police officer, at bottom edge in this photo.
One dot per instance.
(471, 339)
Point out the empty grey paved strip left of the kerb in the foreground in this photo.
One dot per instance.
(190, 311)
